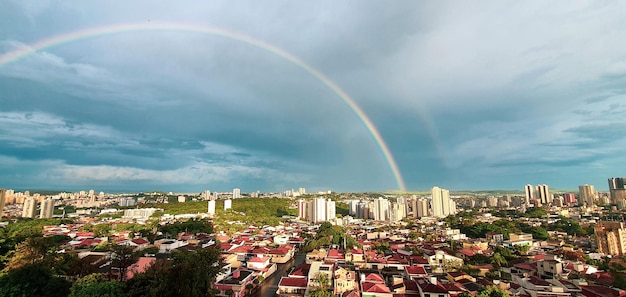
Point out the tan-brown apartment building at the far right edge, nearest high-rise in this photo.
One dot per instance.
(611, 238)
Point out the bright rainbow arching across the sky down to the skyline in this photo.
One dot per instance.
(153, 26)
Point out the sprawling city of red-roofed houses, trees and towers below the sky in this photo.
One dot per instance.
(534, 242)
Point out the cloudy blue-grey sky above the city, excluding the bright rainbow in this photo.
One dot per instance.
(467, 95)
